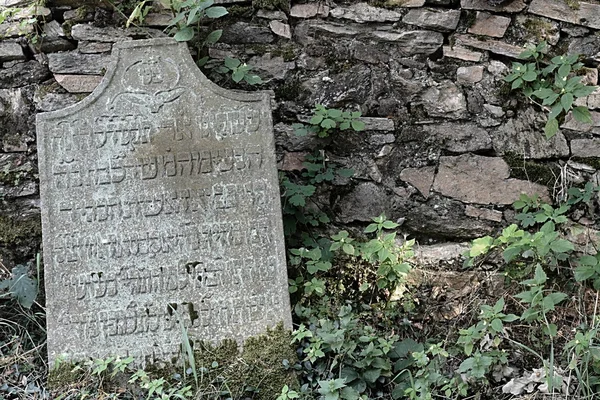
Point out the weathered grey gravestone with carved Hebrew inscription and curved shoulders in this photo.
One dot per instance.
(160, 207)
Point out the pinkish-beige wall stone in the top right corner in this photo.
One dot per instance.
(585, 14)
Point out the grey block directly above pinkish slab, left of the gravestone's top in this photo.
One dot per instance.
(77, 63)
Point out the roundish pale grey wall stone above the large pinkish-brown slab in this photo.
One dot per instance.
(445, 100)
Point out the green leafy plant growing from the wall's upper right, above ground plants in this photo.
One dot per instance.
(554, 83)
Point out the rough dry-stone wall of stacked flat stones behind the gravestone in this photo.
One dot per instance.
(447, 147)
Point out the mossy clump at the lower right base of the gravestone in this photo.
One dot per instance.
(257, 371)
